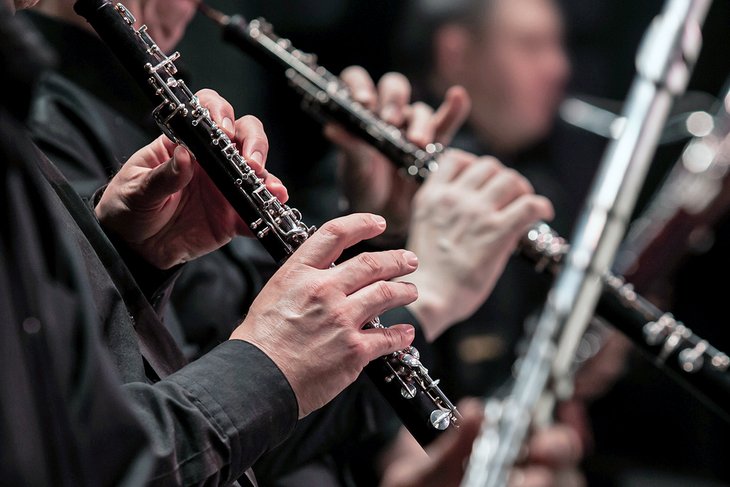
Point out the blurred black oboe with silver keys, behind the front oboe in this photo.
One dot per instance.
(324, 95)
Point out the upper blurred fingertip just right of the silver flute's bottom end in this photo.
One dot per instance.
(557, 446)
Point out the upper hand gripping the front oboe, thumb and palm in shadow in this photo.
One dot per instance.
(164, 206)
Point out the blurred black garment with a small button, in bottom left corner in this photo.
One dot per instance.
(58, 408)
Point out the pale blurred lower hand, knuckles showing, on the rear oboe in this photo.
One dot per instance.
(467, 220)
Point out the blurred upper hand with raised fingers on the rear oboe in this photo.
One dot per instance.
(371, 181)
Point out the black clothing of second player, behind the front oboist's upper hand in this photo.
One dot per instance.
(88, 138)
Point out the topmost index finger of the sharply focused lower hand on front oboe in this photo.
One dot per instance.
(327, 244)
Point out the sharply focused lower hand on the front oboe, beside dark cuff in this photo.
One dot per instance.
(309, 316)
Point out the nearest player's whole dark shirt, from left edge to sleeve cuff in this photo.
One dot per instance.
(65, 289)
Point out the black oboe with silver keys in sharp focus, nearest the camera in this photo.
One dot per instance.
(400, 377)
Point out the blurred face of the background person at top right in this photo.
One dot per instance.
(516, 69)
